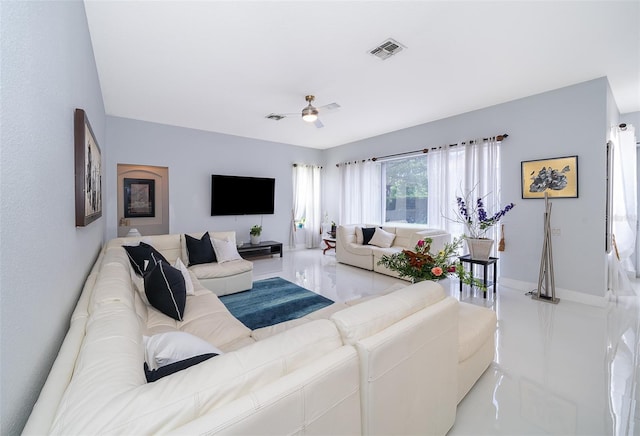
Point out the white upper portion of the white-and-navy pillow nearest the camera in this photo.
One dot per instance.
(165, 348)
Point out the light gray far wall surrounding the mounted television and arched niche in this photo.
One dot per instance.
(192, 156)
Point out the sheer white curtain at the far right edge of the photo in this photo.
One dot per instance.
(624, 197)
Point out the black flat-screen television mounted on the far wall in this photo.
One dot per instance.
(237, 195)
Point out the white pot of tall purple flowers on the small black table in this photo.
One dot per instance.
(476, 220)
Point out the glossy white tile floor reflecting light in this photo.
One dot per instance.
(565, 369)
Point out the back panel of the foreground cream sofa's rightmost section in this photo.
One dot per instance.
(409, 373)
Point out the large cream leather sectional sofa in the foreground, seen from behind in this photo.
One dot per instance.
(387, 365)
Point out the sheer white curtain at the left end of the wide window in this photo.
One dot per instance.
(360, 193)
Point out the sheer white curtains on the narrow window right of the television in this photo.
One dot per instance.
(307, 182)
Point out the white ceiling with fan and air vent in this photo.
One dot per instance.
(224, 65)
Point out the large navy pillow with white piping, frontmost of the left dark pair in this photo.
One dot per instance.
(165, 289)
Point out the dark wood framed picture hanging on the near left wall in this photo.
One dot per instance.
(88, 171)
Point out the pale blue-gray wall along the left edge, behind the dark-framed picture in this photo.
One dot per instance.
(48, 70)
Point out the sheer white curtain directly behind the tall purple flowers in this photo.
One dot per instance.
(456, 171)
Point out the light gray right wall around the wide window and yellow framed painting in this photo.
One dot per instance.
(563, 122)
